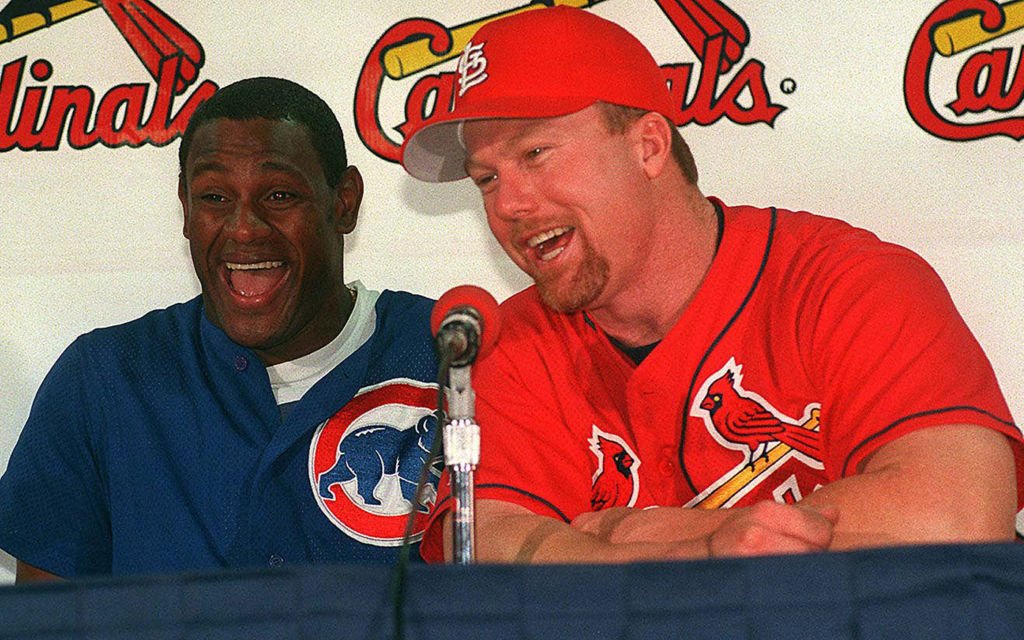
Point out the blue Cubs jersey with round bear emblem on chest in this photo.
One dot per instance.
(157, 447)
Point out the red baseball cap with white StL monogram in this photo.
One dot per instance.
(537, 64)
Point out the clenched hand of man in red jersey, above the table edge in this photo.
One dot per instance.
(770, 528)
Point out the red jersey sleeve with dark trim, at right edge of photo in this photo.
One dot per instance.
(895, 356)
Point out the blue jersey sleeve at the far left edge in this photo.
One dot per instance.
(54, 510)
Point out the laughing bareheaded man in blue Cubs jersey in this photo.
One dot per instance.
(284, 416)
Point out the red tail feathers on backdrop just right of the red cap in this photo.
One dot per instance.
(700, 21)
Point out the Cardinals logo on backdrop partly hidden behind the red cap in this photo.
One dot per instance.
(714, 32)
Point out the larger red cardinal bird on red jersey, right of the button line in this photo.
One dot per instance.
(753, 424)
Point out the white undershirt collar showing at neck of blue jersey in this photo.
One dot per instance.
(291, 380)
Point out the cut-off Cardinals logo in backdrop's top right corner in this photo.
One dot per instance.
(956, 86)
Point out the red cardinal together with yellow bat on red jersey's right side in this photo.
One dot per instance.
(769, 441)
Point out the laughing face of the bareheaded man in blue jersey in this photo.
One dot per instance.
(266, 232)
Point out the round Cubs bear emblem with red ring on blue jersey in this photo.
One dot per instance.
(365, 462)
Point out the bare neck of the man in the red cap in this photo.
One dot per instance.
(677, 263)
